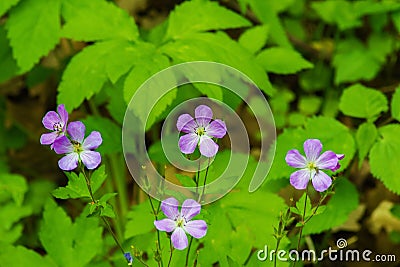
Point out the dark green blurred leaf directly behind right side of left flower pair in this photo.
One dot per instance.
(110, 133)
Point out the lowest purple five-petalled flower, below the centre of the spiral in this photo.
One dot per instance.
(181, 222)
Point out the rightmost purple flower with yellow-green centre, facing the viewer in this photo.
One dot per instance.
(312, 165)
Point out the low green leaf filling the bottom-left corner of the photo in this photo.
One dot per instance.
(21, 256)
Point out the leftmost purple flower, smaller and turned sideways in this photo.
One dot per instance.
(57, 123)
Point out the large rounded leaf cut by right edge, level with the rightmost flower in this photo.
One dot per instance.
(383, 157)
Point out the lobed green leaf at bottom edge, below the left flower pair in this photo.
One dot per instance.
(79, 246)
